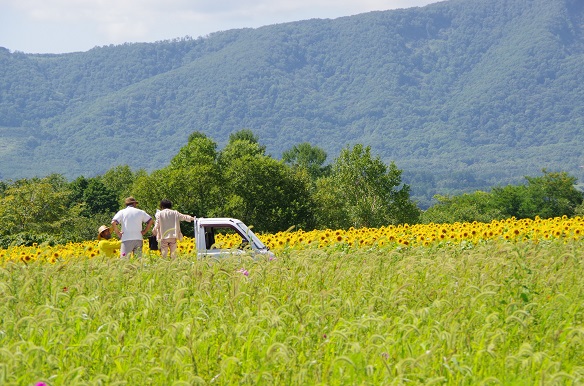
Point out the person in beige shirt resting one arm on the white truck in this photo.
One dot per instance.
(167, 227)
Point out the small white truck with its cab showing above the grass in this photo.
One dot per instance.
(207, 228)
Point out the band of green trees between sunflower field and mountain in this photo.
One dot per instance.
(241, 180)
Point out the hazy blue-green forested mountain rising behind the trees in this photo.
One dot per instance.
(462, 94)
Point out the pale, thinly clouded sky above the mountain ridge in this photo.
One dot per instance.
(62, 26)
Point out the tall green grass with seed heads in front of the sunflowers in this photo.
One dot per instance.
(492, 312)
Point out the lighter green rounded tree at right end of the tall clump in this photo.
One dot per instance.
(368, 192)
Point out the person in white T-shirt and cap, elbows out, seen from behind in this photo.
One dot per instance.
(130, 219)
